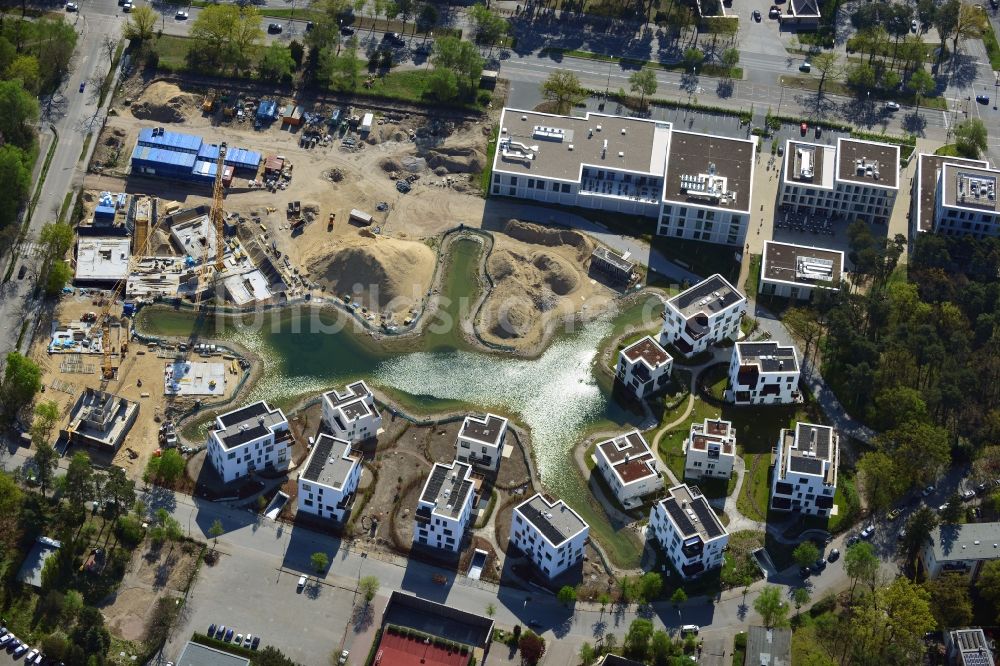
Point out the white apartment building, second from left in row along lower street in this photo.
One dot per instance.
(330, 478)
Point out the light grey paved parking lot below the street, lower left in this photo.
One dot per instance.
(255, 596)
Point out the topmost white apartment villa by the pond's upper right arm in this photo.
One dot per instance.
(707, 313)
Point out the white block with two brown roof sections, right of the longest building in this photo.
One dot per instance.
(854, 179)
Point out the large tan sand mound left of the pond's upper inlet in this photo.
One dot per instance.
(384, 274)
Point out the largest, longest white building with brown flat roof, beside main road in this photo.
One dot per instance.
(697, 186)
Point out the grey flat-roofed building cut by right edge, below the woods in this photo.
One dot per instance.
(964, 549)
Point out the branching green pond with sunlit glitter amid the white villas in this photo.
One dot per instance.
(557, 395)
